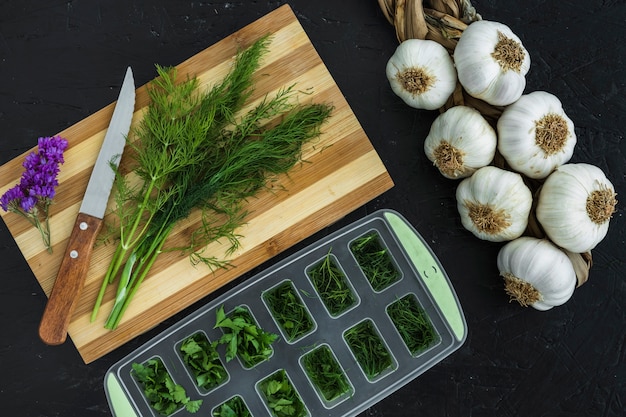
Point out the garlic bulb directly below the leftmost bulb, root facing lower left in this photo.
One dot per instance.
(460, 141)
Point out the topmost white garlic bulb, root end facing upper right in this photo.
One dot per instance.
(491, 62)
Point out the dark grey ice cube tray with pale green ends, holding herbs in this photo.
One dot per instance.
(419, 276)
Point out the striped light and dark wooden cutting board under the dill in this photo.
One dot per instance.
(343, 171)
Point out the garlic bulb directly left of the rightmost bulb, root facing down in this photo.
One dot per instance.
(494, 204)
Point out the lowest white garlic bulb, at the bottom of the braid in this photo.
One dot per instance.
(536, 273)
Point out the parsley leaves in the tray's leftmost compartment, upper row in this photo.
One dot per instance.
(164, 395)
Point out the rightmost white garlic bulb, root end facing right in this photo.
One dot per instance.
(575, 205)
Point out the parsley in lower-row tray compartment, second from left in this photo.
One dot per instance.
(281, 397)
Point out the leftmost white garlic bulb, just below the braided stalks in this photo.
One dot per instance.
(421, 73)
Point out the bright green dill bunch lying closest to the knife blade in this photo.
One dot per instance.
(179, 122)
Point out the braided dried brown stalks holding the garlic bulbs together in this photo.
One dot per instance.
(444, 21)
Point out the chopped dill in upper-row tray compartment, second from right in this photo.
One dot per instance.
(332, 285)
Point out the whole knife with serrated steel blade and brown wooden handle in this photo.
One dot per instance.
(72, 272)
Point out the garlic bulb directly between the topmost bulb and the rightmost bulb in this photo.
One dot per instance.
(535, 136)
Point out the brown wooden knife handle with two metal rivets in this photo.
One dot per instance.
(70, 280)
